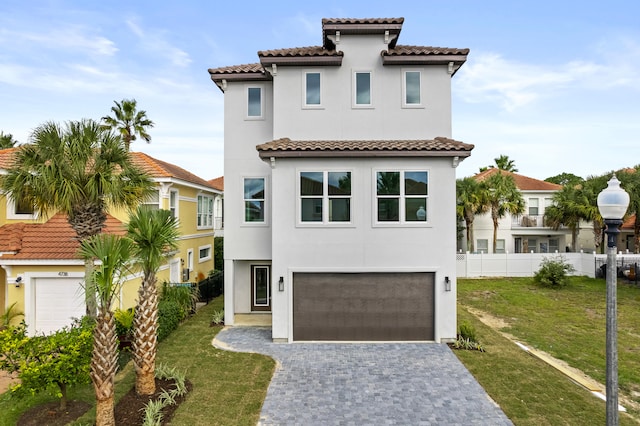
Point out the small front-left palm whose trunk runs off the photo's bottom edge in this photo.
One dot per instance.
(112, 252)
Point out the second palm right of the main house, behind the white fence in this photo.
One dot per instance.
(503, 196)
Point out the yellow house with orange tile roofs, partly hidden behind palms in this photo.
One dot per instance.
(39, 268)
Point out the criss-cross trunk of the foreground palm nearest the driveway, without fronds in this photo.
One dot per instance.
(145, 336)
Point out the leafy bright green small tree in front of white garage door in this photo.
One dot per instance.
(62, 358)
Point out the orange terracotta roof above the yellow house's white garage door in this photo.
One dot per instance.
(54, 239)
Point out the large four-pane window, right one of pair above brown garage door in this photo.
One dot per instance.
(402, 196)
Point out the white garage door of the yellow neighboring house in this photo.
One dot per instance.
(57, 302)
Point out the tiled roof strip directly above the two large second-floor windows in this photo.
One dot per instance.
(438, 147)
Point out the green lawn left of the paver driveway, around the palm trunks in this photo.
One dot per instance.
(228, 387)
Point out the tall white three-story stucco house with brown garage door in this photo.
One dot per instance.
(340, 192)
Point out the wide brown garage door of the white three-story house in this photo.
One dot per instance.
(363, 306)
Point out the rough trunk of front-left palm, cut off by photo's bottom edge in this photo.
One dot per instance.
(104, 361)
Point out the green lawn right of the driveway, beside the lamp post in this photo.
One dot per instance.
(569, 324)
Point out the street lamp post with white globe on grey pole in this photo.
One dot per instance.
(612, 204)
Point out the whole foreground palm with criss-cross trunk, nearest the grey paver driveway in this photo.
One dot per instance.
(155, 234)
